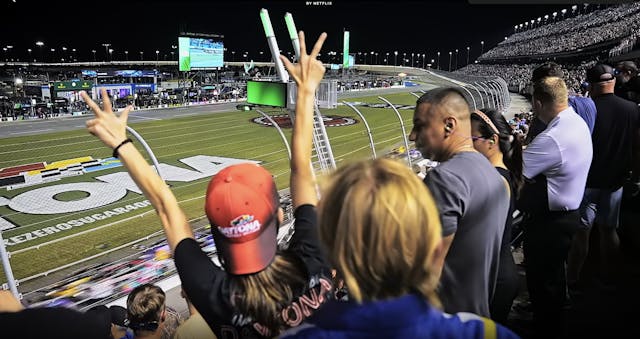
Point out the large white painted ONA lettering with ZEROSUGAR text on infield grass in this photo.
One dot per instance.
(106, 191)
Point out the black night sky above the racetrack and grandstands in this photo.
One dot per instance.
(135, 25)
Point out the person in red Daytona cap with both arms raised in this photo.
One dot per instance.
(259, 291)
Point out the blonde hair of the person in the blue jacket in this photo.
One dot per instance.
(380, 227)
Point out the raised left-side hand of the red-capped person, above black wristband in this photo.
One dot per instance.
(108, 127)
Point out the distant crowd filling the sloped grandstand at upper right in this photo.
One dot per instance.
(604, 25)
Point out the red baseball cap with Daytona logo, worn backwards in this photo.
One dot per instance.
(242, 207)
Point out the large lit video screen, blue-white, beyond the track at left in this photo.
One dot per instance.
(200, 53)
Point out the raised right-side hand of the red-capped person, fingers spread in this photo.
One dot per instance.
(308, 72)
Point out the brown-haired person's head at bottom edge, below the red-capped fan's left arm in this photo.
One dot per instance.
(146, 311)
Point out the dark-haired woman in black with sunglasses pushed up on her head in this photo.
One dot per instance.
(495, 139)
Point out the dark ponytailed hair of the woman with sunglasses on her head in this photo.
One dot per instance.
(510, 145)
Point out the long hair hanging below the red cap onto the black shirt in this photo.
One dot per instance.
(265, 294)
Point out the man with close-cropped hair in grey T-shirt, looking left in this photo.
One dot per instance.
(472, 199)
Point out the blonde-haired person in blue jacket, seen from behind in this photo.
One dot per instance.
(381, 228)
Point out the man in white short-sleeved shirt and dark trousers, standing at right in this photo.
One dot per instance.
(555, 168)
